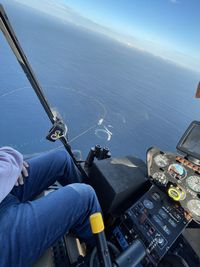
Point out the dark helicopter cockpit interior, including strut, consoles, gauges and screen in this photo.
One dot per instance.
(147, 207)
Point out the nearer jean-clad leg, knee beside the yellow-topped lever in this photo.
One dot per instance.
(28, 229)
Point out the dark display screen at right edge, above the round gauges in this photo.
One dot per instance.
(190, 142)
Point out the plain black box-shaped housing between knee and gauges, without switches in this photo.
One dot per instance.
(118, 181)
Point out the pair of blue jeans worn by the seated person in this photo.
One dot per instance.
(28, 227)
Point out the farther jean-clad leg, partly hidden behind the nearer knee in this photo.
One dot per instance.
(44, 170)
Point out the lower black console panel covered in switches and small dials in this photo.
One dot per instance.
(154, 219)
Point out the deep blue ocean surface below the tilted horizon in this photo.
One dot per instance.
(107, 93)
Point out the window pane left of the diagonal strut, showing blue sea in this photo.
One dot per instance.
(24, 123)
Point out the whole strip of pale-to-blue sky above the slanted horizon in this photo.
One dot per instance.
(165, 28)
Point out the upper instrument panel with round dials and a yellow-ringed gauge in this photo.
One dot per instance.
(178, 177)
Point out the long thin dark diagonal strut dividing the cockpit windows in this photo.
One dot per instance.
(13, 42)
